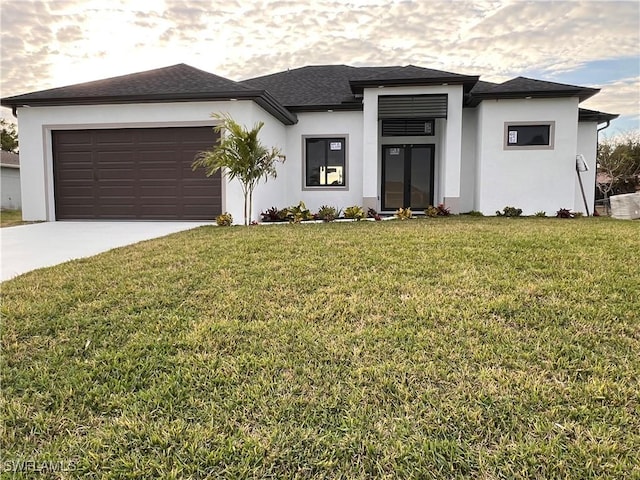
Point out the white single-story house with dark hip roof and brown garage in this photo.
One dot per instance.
(379, 137)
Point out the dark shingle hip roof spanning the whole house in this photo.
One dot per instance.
(310, 88)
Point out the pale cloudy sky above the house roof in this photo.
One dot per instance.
(53, 43)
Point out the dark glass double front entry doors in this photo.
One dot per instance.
(407, 176)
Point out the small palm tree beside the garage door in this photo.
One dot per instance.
(240, 155)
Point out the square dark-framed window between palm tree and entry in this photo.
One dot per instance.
(325, 162)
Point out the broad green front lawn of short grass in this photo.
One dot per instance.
(439, 348)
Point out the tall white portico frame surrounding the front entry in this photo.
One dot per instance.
(448, 151)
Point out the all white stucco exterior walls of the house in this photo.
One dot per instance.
(472, 169)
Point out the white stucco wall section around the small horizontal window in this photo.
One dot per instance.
(533, 180)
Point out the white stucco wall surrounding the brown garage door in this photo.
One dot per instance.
(36, 124)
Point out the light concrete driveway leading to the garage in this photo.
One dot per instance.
(29, 247)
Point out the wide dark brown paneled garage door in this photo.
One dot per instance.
(133, 173)
